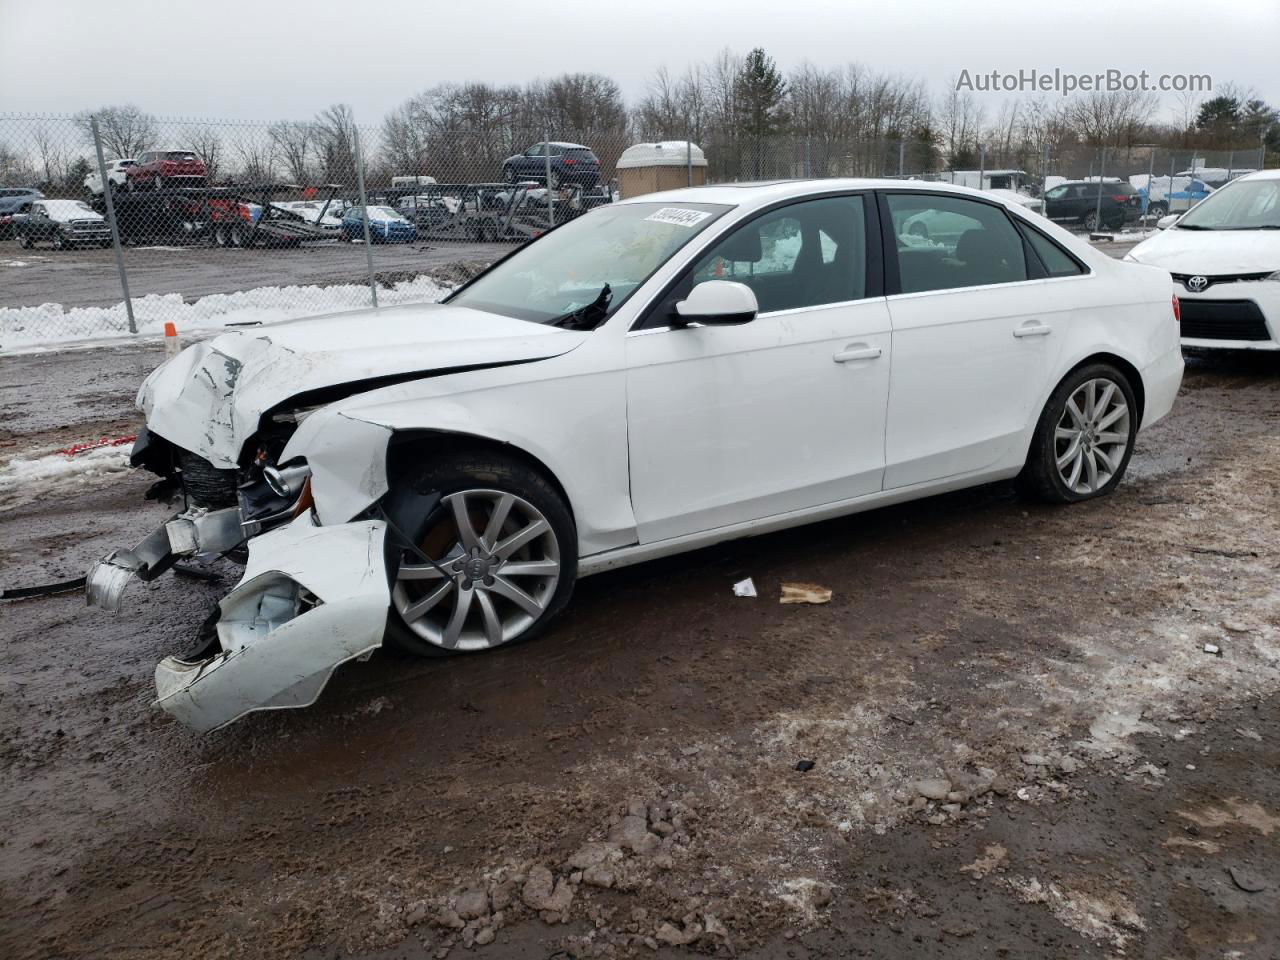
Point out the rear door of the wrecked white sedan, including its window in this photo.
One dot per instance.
(972, 339)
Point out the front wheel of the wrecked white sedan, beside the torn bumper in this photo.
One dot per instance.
(509, 550)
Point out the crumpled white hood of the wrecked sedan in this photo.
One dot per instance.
(211, 399)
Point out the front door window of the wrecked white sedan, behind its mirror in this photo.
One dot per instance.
(803, 255)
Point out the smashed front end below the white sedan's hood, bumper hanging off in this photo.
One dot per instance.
(310, 600)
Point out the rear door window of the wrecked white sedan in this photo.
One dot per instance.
(949, 243)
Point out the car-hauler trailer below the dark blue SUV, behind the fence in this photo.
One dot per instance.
(488, 212)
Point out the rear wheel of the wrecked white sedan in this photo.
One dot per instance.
(1085, 437)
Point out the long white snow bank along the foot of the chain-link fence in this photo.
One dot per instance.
(51, 323)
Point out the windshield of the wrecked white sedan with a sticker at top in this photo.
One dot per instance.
(582, 273)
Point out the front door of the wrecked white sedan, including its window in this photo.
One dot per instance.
(733, 424)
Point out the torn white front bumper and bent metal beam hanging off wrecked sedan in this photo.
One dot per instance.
(312, 598)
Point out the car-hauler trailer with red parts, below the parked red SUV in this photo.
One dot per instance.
(223, 217)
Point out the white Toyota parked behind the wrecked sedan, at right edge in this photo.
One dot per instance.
(1224, 255)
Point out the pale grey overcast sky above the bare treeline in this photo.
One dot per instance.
(277, 60)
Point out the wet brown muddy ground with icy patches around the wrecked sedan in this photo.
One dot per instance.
(1098, 784)
